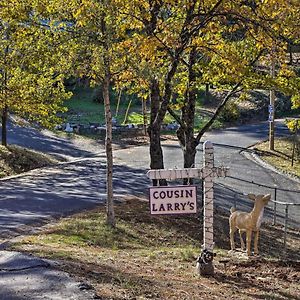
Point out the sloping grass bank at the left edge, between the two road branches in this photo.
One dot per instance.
(15, 160)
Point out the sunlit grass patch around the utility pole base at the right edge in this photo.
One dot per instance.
(281, 157)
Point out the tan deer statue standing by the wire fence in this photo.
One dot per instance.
(248, 222)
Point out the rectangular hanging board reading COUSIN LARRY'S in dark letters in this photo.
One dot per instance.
(169, 200)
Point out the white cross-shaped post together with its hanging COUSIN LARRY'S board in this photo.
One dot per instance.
(182, 199)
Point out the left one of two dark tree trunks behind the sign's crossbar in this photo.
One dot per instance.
(156, 153)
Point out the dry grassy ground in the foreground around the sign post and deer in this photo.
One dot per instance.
(149, 257)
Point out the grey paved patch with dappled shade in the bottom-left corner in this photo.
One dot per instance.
(24, 277)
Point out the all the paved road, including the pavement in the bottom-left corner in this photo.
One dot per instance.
(40, 195)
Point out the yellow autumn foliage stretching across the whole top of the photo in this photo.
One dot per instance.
(140, 45)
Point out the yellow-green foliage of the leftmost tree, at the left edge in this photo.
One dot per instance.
(31, 61)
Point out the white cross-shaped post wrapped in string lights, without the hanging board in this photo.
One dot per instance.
(207, 173)
